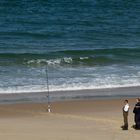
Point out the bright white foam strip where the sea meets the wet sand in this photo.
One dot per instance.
(69, 86)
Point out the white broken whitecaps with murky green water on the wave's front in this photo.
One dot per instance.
(89, 61)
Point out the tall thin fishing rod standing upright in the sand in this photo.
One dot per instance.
(48, 90)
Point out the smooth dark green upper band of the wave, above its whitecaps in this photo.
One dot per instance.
(117, 51)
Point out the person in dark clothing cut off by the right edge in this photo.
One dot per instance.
(136, 111)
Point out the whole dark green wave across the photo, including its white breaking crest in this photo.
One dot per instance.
(75, 57)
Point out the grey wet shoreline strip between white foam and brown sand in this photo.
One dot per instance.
(41, 97)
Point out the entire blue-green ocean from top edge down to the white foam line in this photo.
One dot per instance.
(83, 44)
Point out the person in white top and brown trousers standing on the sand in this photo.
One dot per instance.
(125, 115)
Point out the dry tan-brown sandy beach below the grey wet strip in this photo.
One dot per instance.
(71, 120)
